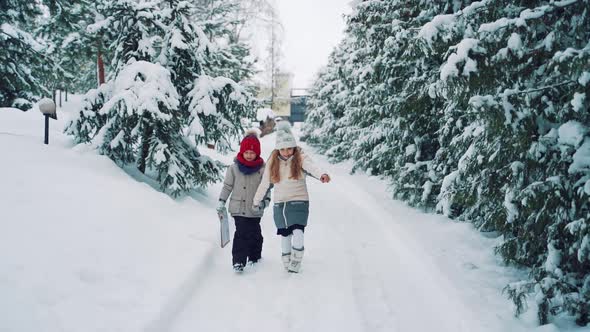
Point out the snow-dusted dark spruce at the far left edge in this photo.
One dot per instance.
(22, 58)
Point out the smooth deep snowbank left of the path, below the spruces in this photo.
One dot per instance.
(85, 247)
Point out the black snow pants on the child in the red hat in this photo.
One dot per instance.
(247, 244)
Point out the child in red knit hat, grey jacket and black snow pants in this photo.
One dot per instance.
(241, 181)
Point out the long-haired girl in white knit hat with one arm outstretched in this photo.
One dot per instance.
(287, 169)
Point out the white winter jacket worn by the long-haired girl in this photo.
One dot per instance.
(287, 189)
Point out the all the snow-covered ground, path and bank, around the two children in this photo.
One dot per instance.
(86, 247)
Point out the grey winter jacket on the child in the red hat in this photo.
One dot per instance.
(242, 188)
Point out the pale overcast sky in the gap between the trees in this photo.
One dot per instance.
(312, 29)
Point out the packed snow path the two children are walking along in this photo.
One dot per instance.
(362, 271)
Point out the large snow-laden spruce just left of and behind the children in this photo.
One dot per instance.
(155, 114)
